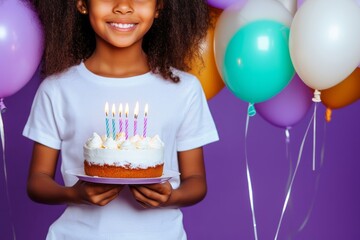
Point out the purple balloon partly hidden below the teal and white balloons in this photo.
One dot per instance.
(289, 106)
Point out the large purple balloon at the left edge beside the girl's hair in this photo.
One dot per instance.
(21, 45)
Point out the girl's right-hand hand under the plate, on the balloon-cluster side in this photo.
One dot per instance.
(152, 195)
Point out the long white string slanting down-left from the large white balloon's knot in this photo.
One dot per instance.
(293, 178)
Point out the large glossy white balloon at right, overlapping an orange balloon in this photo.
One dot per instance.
(325, 41)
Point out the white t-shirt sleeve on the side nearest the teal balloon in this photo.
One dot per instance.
(198, 127)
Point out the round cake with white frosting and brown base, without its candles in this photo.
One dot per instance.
(135, 157)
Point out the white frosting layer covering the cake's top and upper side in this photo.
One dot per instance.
(135, 152)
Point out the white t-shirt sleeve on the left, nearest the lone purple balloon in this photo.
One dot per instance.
(41, 125)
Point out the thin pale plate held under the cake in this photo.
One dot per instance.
(79, 172)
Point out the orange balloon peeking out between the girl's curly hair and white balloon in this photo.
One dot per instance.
(205, 69)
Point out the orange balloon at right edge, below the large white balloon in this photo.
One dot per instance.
(342, 94)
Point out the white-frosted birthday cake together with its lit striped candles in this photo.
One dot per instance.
(118, 155)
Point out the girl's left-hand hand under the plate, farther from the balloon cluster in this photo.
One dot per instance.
(97, 194)
